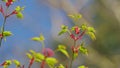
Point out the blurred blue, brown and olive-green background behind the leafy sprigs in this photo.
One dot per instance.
(46, 17)
